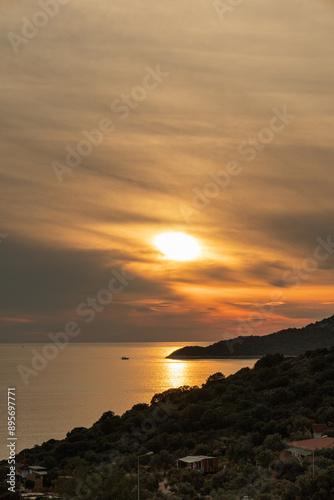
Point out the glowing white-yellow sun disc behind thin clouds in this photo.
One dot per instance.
(178, 246)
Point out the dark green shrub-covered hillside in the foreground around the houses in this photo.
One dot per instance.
(243, 419)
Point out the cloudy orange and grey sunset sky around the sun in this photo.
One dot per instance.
(124, 119)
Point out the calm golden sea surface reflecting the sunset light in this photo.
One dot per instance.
(85, 380)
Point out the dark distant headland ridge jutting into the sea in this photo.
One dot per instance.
(290, 342)
